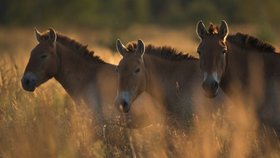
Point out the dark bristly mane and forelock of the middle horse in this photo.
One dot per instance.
(164, 52)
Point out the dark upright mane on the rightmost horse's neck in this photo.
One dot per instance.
(250, 42)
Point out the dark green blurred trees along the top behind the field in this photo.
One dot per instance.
(120, 13)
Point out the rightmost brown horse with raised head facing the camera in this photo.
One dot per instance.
(240, 64)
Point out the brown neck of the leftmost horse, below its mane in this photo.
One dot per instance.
(74, 72)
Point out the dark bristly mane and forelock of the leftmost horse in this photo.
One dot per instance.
(77, 47)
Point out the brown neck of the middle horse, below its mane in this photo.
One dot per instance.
(161, 75)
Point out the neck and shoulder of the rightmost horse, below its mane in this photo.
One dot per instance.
(242, 63)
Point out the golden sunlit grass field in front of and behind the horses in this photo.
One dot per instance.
(47, 123)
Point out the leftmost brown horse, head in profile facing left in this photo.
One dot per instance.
(85, 77)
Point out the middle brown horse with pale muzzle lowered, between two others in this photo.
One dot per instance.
(167, 75)
